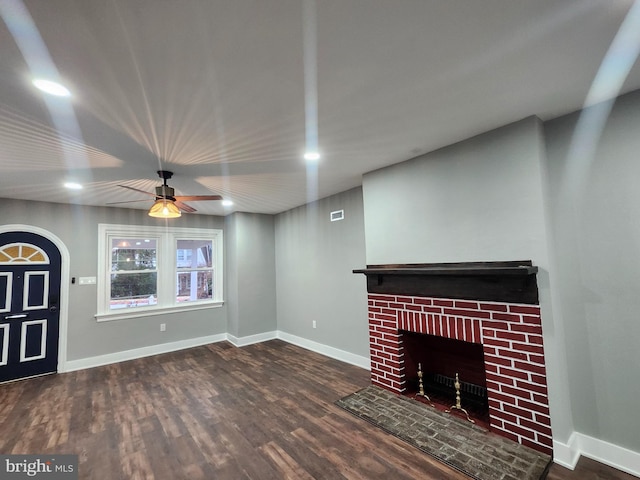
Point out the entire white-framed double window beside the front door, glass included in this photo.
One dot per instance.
(150, 270)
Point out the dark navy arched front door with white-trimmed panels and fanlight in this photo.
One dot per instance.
(30, 274)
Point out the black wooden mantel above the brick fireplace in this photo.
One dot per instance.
(512, 281)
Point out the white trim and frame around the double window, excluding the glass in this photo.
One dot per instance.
(166, 246)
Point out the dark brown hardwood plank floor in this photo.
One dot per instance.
(218, 412)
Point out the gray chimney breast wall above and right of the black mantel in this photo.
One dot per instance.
(481, 199)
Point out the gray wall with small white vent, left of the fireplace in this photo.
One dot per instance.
(314, 262)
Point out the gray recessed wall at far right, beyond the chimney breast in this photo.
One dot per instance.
(595, 215)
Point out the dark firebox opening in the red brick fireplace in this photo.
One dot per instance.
(440, 359)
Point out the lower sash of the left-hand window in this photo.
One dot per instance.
(133, 290)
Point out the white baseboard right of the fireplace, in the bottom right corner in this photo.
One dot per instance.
(607, 453)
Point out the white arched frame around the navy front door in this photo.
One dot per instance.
(64, 284)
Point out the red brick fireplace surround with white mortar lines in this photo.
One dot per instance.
(511, 336)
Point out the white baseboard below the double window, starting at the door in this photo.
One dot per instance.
(99, 360)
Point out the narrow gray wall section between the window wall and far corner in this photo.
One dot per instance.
(251, 284)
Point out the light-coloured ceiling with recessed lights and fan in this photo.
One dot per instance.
(215, 90)
